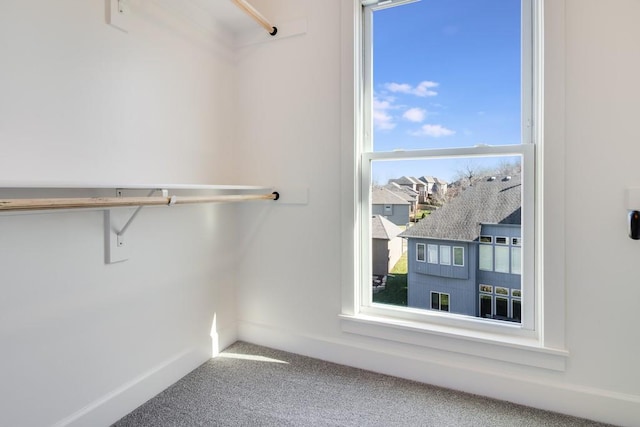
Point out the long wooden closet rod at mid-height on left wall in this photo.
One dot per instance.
(109, 202)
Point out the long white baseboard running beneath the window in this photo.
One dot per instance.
(530, 389)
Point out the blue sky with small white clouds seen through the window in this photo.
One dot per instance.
(446, 74)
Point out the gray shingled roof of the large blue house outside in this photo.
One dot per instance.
(493, 201)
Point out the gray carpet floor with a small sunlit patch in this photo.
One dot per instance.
(250, 385)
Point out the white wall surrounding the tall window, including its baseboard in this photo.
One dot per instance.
(290, 282)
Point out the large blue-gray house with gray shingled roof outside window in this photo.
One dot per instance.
(465, 257)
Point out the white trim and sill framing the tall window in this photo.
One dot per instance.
(545, 348)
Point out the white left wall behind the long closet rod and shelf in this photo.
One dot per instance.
(82, 342)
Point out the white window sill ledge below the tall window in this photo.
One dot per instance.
(518, 350)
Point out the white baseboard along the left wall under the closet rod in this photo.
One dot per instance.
(114, 405)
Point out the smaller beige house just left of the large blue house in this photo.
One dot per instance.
(386, 246)
